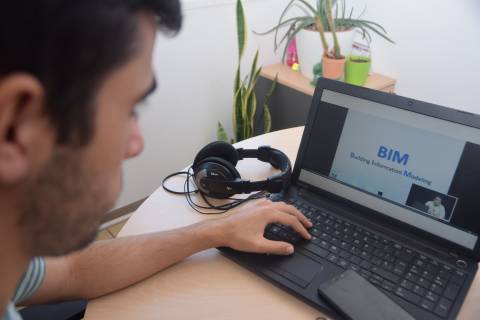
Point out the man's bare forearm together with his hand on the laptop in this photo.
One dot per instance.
(107, 266)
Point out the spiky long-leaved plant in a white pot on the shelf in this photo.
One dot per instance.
(303, 26)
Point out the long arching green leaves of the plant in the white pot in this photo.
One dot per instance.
(320, 15)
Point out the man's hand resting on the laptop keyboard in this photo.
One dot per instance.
(243, 230)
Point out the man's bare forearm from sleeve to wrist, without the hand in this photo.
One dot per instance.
(110, 265)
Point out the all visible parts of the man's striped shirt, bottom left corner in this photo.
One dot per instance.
(29, 283)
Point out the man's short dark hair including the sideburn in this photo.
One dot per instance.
(70, 46)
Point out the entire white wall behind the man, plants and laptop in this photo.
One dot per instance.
(435, 58)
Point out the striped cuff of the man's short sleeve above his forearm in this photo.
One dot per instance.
(31, 281)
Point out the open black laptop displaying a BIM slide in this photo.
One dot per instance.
(391, 185)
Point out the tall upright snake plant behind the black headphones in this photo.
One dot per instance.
(244, 99)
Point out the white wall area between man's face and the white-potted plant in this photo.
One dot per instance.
(195, 72)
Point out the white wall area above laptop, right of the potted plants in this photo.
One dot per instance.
(436, 57)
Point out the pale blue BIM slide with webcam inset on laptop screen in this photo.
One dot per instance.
(407, 165)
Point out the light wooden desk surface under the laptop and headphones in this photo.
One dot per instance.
(207, 285)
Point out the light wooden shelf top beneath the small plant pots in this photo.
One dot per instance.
(299, 82)
